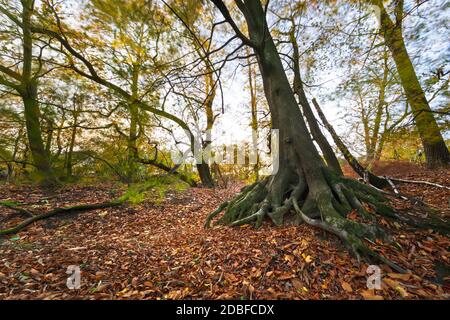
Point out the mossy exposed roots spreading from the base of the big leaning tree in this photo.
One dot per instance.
(283, 200)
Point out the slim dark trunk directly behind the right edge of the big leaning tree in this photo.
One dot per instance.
(316, 133)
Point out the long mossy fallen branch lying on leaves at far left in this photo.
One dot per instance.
(56, 211)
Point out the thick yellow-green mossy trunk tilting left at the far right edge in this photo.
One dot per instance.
(435, 149)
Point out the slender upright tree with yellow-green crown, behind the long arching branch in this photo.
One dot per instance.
(133, 54)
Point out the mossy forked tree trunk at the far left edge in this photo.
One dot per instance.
(25, 83)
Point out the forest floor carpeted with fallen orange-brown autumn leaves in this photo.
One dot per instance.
(160, 250)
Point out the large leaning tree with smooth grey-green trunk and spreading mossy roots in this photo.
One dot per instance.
(304, 189)
